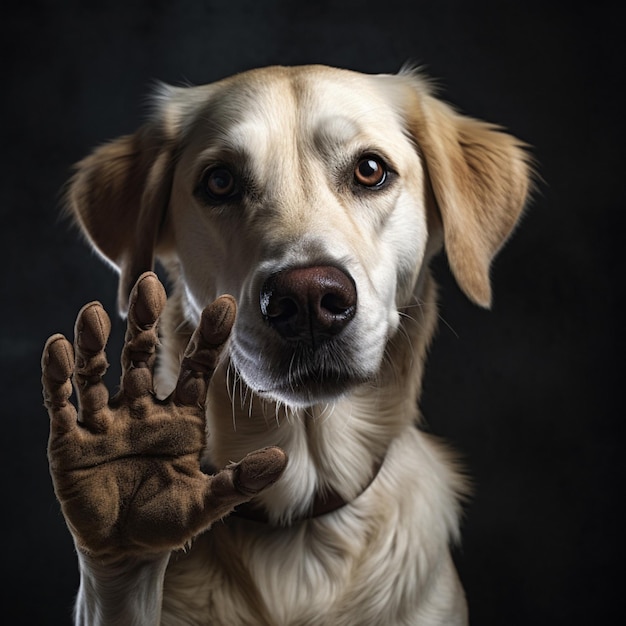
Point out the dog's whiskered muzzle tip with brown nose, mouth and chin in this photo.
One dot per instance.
(312, 347)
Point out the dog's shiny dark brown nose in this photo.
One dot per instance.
(309, 304)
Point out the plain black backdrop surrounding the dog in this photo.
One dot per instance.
(529, 392)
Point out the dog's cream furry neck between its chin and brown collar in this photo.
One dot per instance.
(333, 448)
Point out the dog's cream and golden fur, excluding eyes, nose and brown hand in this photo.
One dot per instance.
(344, 411)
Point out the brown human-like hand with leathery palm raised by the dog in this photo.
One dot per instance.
(126, 469)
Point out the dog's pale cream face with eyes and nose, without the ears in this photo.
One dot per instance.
(304, 198)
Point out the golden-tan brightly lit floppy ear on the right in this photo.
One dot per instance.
(480, 178)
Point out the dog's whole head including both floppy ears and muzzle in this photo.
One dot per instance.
(316, 197)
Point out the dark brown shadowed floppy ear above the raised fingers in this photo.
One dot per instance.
(119, 196)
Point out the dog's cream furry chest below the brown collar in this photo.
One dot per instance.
(369, 563)
